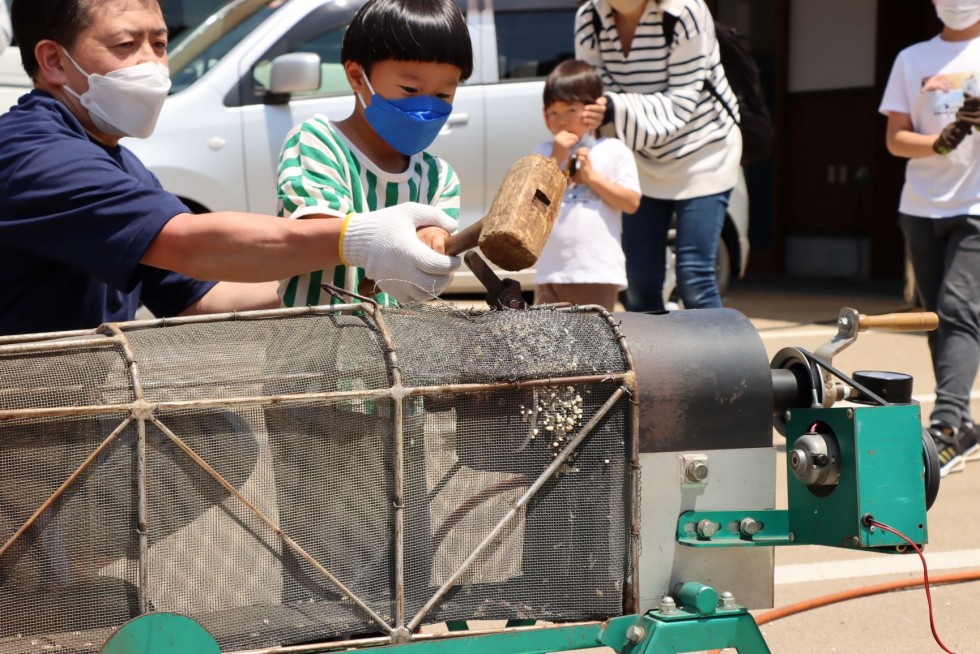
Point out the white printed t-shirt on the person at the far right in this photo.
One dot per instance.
(927, 82)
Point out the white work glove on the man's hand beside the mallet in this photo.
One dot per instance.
(385, 245)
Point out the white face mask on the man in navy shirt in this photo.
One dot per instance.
(125, 102)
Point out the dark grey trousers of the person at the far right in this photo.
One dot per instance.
(945, 256)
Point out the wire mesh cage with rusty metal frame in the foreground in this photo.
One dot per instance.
(299, 476)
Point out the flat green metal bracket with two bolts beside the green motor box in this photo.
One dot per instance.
(763, 528)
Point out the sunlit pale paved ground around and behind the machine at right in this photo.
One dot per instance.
(803, 313)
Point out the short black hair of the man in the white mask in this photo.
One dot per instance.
(57, 20)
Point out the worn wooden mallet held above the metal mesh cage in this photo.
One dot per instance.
(521, 215)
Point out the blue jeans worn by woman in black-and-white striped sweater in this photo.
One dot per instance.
(699, 223)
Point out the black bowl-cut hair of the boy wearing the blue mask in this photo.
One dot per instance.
(409, 30)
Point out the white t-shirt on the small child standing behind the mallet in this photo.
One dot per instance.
(585, 245)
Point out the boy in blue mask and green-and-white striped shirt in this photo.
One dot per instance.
(404, 60)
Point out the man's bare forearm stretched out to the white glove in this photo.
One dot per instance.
(243, 247)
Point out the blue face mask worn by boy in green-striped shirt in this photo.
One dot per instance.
(409, 125)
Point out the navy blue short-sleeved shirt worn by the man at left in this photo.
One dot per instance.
(76, 217)
